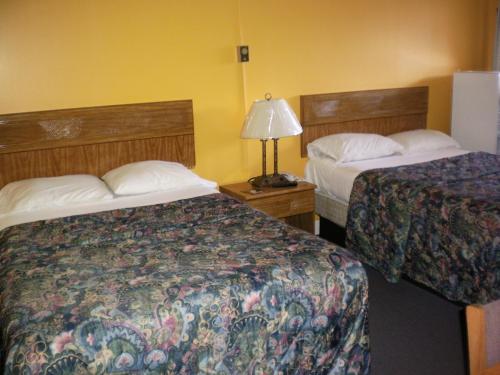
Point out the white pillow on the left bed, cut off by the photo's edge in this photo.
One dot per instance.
(47, 192)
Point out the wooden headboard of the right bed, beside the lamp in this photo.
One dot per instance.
(383, 112)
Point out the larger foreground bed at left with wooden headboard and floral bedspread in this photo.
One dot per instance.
(181, 281)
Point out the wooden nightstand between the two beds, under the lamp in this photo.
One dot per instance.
(294, 205)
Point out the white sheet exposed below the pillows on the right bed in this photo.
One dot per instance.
(336, 180)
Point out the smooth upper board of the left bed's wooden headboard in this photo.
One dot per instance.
(91, 125)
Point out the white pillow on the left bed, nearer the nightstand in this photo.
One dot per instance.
(150, 176)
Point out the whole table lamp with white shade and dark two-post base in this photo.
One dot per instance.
(270, 119)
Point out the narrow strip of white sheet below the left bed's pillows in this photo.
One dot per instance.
(118, 202)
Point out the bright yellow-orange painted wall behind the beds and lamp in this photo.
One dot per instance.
(71, 53)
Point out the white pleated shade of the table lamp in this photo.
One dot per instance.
(270, 119)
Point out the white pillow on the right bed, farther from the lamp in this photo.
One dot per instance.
(423, 140)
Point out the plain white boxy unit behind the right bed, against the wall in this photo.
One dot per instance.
(476, 111)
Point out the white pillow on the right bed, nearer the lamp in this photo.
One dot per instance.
(346, 147)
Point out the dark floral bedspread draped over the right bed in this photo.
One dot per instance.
(436, 222)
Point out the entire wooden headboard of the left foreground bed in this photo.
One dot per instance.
(94, 140)
